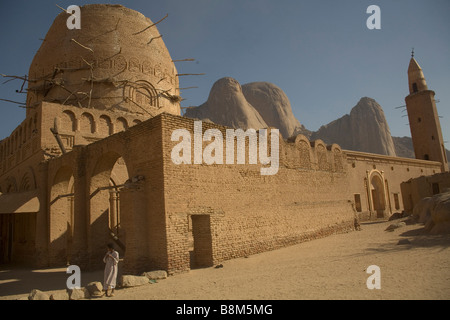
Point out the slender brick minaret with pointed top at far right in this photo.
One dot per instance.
(423, 118)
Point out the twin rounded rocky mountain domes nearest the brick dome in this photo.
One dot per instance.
(254, 105)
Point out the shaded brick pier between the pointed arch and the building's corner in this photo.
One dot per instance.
(142, 203)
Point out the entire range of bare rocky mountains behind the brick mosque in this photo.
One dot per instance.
(262, 104)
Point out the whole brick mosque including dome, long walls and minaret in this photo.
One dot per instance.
(91, 163)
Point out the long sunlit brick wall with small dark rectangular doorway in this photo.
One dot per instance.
(250, 213)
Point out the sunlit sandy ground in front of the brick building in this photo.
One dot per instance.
(329, 268)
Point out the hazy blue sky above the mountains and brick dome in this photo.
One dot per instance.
(319, 52)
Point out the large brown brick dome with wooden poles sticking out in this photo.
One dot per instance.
(117, 61)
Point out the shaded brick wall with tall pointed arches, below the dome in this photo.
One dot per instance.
(89, 169)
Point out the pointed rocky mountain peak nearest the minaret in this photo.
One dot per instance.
(364, 129)
